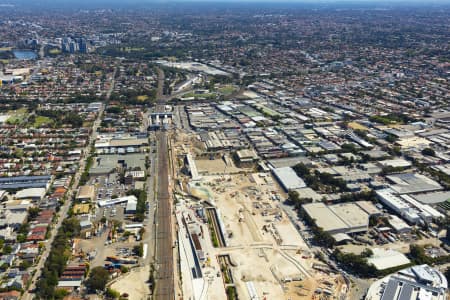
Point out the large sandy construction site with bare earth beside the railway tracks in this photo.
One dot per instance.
(235, 239)
